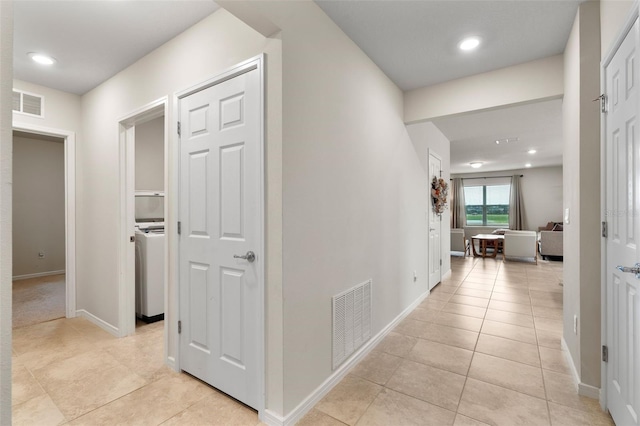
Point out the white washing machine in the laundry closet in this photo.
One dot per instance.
(149, 272)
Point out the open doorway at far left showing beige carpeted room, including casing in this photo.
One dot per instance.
(43, 225)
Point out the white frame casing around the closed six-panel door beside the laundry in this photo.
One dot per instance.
(253, 63)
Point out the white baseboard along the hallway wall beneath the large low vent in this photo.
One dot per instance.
(310, 401)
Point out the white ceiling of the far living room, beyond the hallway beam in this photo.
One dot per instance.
(473, 137)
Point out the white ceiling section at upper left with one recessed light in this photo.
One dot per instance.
(94, 40)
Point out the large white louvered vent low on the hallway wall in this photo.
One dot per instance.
(351, 321)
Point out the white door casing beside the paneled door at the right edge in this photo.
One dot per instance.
(634, 14)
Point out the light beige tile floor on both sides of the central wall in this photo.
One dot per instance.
(483, 348)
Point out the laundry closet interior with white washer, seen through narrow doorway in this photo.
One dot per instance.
(149, 218)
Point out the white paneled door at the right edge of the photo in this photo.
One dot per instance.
(622, 174)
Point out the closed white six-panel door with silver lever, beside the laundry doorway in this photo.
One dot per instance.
(220, 235)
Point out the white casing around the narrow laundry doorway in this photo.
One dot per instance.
(126, 248)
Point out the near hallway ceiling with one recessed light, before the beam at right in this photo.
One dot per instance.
(415, 42)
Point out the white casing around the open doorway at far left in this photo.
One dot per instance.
(70, 204)
